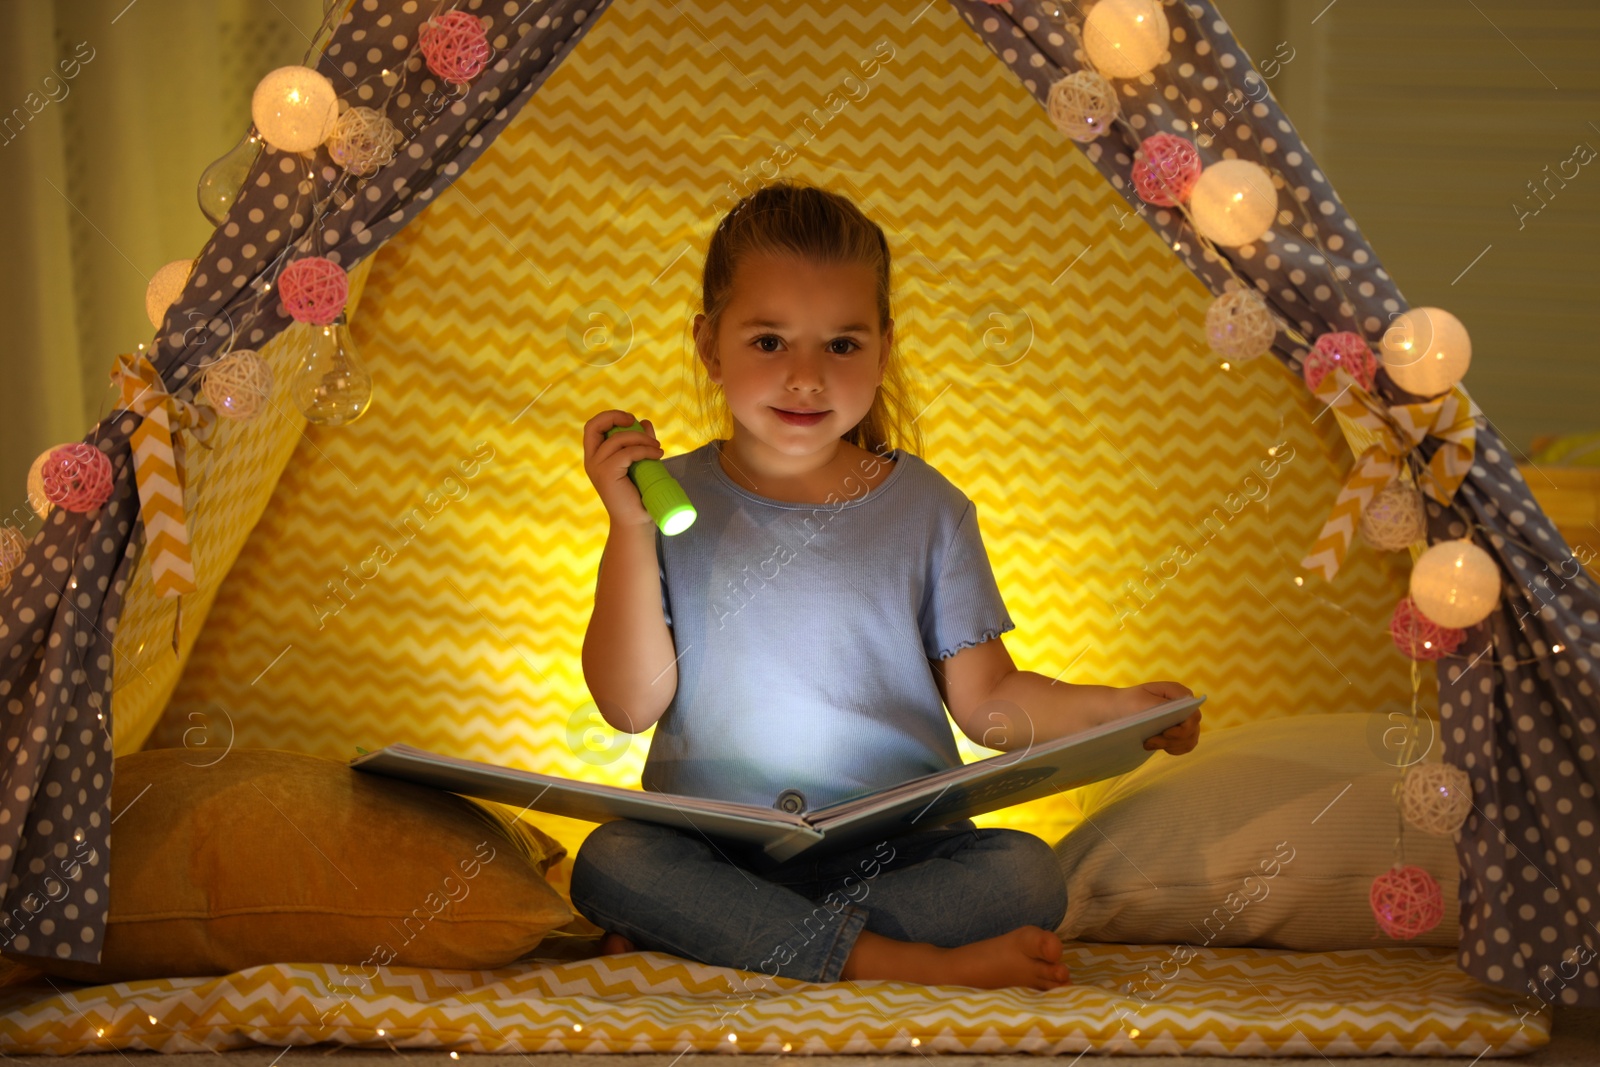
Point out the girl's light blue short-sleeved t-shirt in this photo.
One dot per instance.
(804, 634)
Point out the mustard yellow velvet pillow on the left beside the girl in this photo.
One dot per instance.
(274, 857)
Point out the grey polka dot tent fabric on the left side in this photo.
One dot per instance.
(62, 609)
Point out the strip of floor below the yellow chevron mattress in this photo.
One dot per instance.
(1575, 1042)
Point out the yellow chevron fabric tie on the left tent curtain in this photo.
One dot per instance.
(159, 470)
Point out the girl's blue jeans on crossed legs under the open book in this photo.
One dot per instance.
(722, 903)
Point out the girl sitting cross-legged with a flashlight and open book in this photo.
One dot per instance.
(831, 599)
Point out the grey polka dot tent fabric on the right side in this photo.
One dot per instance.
(1518, 700)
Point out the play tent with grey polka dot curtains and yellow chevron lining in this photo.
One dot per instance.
(425, 573)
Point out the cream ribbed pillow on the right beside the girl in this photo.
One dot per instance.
(1268, 834)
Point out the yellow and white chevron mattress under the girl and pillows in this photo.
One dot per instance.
(1124, 1001)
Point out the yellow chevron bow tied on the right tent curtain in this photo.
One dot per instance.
(1399, 430)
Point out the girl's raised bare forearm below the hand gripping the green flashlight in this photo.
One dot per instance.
(630, 658)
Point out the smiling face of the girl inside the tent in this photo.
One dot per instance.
(798, 337)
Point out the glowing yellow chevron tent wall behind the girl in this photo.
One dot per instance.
(426, 573)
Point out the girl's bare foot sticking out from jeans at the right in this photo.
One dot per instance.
(1028, 956)
